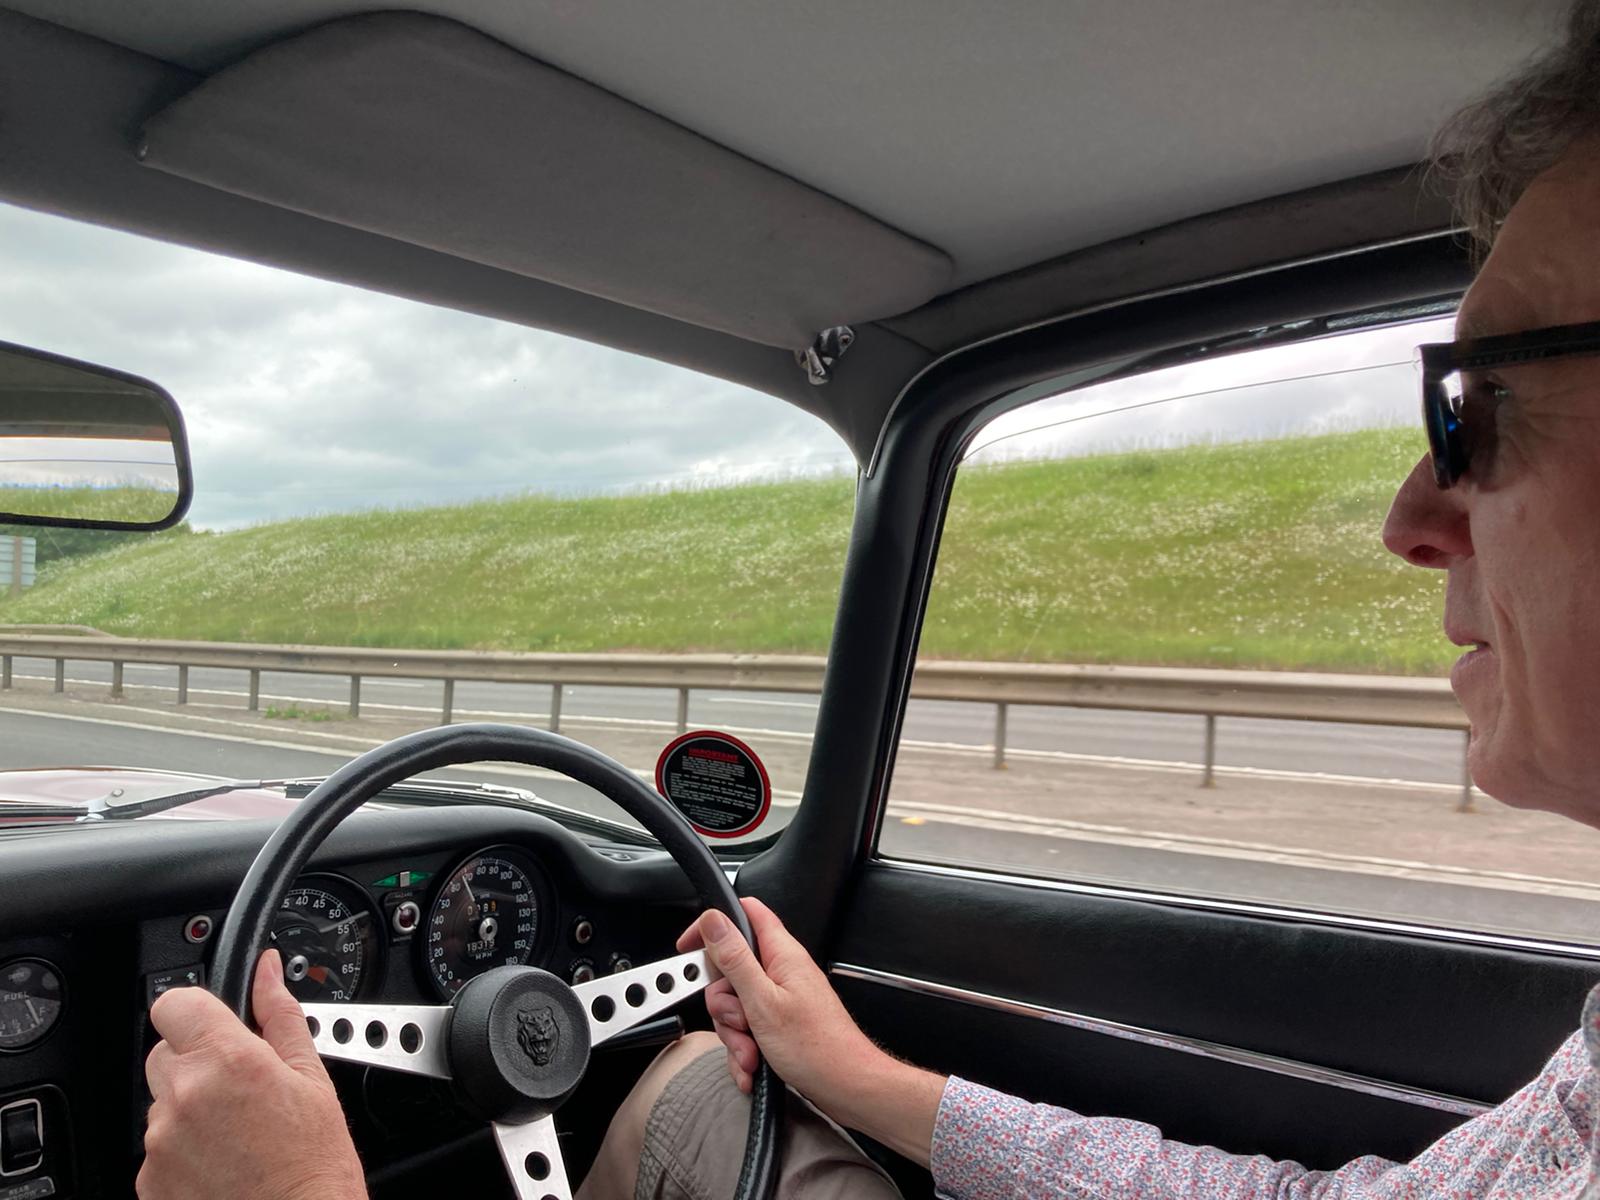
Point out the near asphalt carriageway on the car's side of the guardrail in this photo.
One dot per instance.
(54, 742)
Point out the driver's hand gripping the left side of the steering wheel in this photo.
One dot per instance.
(242, 1116)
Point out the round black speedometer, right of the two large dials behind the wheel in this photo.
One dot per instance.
(486, 916)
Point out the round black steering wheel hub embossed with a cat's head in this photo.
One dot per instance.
(519, 1044)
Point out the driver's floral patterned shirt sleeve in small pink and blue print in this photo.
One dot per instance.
(1540, 1143)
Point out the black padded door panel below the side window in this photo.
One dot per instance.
(1465, 1020)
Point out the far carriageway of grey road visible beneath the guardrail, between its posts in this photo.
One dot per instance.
(1374, 753)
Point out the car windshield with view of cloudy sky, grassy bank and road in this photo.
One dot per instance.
(465, 519)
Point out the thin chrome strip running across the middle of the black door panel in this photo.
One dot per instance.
(1185, 1046)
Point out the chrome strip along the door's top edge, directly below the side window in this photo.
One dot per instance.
(1498, 942)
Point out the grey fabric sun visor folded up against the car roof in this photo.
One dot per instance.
(433, 134)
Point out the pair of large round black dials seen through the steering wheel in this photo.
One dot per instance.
(484, 911)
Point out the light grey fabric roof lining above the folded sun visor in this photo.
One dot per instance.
(1004, 134)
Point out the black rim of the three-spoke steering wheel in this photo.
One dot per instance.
(249, 922)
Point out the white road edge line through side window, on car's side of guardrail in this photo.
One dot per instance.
(1255, 852)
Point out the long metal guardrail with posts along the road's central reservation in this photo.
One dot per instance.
(1351, 700)
